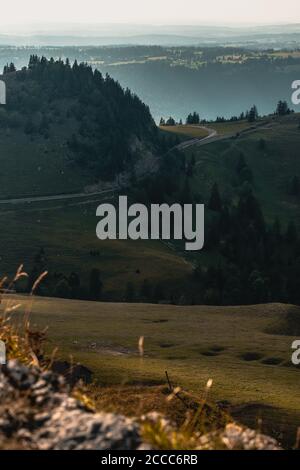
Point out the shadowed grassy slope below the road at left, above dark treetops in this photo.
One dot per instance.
(68, 234)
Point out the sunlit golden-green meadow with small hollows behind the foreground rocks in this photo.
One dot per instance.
(192, 343)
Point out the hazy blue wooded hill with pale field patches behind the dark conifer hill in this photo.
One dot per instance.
(214, 80)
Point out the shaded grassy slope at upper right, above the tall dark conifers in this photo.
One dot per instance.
(272, 167)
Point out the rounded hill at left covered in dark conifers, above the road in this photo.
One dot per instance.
(71, 121)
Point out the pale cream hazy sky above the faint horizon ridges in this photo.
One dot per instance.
(149, 11)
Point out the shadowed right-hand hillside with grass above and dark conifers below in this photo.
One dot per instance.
(249, 184)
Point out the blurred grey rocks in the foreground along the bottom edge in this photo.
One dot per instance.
(37, 412)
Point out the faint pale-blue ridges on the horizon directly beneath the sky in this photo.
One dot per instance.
(170, 35)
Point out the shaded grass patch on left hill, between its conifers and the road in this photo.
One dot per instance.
(37, 166)
